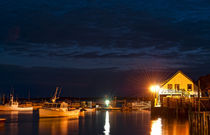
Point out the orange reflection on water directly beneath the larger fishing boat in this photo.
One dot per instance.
(55, 126)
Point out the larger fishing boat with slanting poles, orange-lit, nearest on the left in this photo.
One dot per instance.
(58, 109)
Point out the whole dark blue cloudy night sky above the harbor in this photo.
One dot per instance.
(98, 47)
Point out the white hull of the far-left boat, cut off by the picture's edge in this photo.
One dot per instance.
(14, 108)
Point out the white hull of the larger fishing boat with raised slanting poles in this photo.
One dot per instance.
(59, 113)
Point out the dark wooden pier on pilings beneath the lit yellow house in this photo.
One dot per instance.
(198, 115)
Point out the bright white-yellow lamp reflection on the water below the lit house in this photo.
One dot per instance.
(156, 127)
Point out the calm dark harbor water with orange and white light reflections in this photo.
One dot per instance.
(97, 123)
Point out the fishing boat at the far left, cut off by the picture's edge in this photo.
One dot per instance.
(13, 106)
